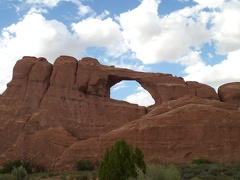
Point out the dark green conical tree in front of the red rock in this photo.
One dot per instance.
(120, 162)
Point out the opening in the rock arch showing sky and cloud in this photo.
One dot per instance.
(132, 92)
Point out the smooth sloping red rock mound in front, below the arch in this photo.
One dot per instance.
(175, 132)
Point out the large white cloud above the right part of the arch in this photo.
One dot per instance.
(155, 39)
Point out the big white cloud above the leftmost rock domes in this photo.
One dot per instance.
(36, 36)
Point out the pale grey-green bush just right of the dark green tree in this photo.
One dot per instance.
(156, 172)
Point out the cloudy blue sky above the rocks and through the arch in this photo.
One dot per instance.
(198, 40)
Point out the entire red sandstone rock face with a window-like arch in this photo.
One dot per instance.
(58, 114)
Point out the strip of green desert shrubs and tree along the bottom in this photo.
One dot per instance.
(122, 162)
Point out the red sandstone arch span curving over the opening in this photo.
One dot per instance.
(96, 79)
